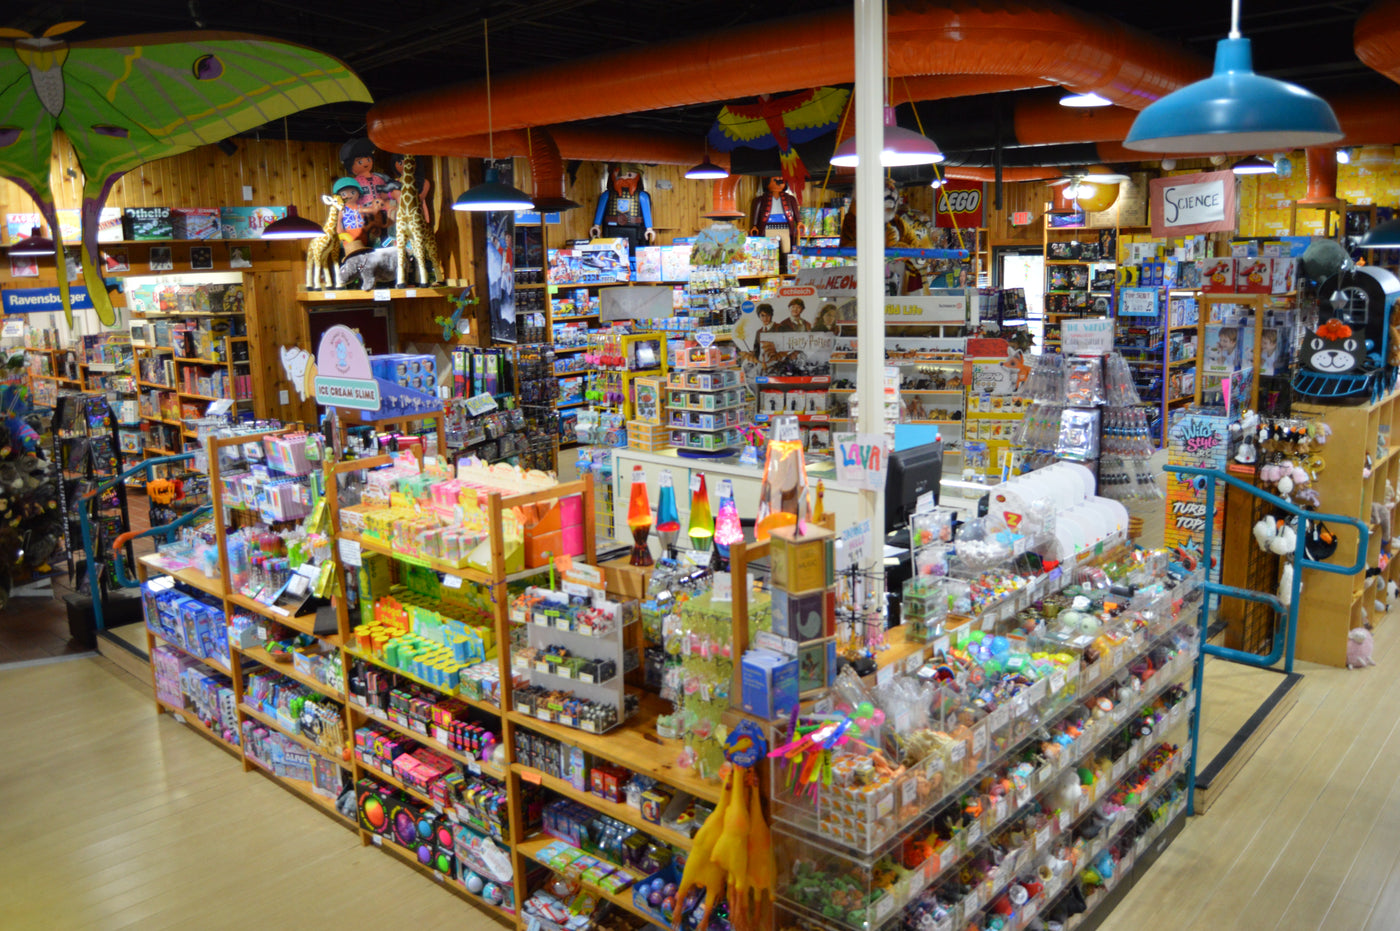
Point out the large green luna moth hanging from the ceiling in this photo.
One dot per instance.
(131, 100)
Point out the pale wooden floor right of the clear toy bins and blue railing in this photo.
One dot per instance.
(1308, 835)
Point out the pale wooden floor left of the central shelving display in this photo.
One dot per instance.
(117, 818)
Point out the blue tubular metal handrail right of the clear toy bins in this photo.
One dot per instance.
(1287, 635)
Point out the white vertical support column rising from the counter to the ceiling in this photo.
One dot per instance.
(870, 239)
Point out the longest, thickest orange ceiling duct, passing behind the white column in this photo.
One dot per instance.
(1041, 41)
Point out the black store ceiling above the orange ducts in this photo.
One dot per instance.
(412, 45)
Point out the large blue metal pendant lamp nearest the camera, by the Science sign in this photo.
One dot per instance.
(1234, 110)
